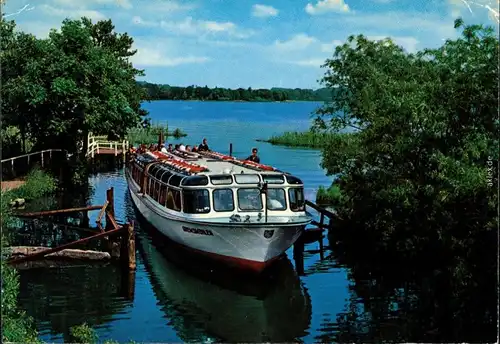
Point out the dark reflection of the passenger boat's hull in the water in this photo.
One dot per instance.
(203, 301)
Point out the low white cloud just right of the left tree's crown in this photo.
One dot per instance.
(155, 58)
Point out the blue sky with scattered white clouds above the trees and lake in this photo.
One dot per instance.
(254, 43)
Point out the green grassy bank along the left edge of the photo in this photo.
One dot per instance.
(16, 325)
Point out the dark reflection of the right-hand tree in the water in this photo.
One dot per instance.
(416, 301)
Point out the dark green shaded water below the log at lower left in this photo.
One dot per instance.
(60, 298)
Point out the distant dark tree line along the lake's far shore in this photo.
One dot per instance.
(168, 92)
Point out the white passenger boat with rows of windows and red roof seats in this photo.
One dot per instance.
(240, 212)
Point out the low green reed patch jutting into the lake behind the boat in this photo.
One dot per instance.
(307, 139)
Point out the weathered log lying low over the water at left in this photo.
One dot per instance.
(22, 251)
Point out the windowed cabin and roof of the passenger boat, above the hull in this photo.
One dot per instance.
(220, 189)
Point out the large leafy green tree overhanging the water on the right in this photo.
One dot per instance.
(418, 179)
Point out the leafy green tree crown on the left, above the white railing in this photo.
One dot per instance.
(79, 79)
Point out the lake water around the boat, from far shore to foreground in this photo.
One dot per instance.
(175, 299)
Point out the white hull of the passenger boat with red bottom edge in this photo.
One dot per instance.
(253, 246)
